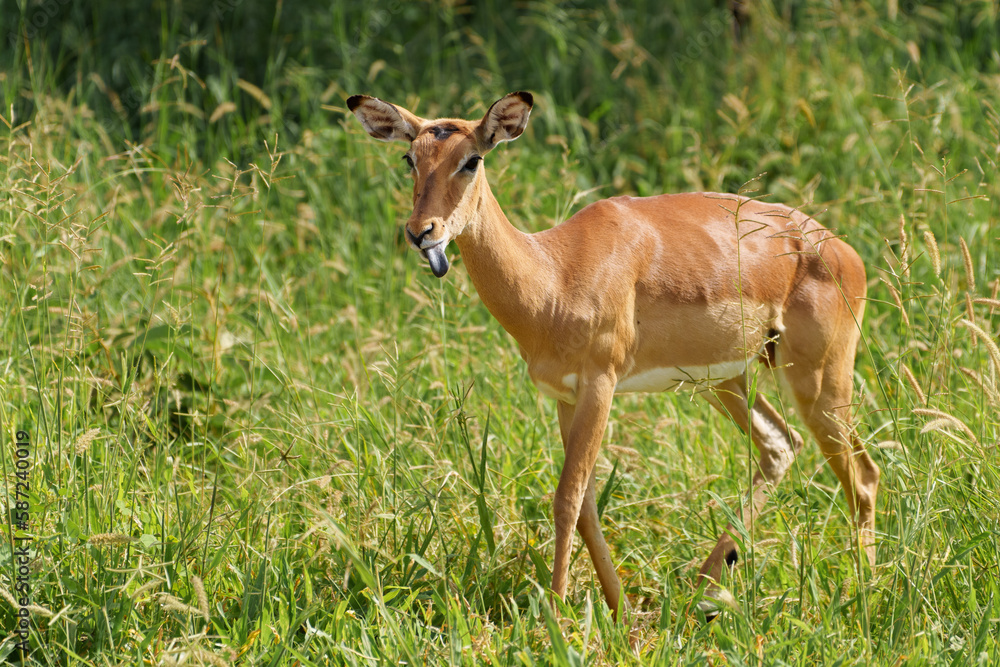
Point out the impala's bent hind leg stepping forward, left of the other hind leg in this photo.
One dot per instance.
(776, 444)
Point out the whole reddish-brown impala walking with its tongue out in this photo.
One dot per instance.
(643, 295)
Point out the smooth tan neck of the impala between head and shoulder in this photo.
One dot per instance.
(510, 270)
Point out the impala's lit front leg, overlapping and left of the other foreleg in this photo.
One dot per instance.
(582, 443)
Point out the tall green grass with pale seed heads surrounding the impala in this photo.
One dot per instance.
(260, 432)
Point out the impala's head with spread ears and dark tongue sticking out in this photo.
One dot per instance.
(445, 159)
